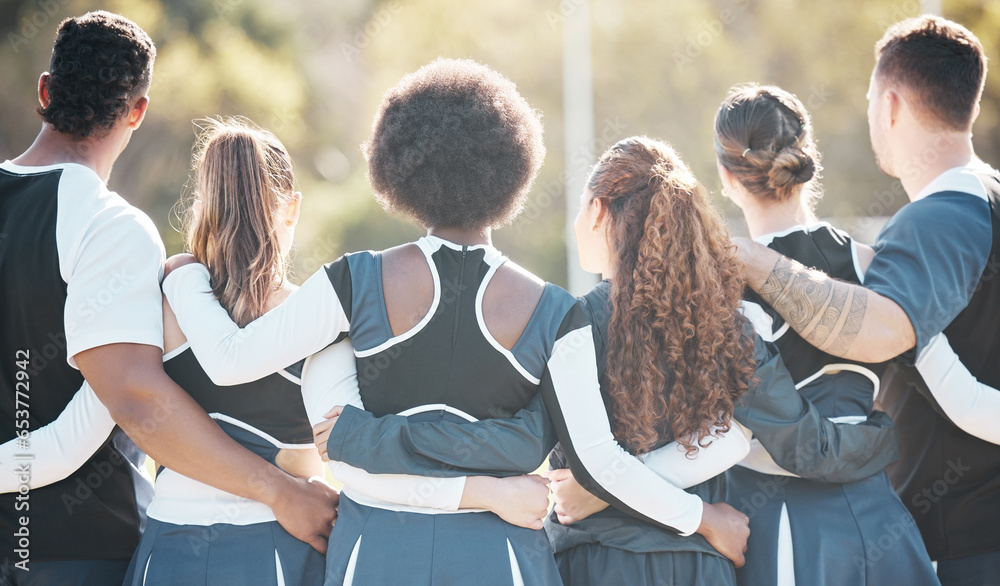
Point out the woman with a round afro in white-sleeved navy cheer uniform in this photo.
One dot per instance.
(447, 331)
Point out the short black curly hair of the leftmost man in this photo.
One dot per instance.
(101, 62)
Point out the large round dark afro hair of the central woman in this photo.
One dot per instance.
(454, 144)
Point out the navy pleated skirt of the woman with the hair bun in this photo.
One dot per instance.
(856, 534)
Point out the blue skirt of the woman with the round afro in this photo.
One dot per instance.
(370, 546)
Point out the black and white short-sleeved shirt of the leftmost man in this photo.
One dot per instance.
(79, 268)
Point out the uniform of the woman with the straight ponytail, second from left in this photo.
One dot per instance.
(197, 534)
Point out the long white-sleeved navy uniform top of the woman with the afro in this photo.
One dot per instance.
(447, 367)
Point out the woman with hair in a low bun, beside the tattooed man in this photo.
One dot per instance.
(807, 532)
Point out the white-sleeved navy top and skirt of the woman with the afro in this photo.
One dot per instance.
(436, 381)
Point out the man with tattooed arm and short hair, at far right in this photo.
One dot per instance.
(930, 293)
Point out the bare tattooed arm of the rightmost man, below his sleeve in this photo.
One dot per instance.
(840, 318)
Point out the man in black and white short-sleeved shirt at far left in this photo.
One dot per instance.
(80, 297)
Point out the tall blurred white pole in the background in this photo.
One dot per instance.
(578, 129)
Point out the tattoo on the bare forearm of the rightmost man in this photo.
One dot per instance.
(800, 295)
